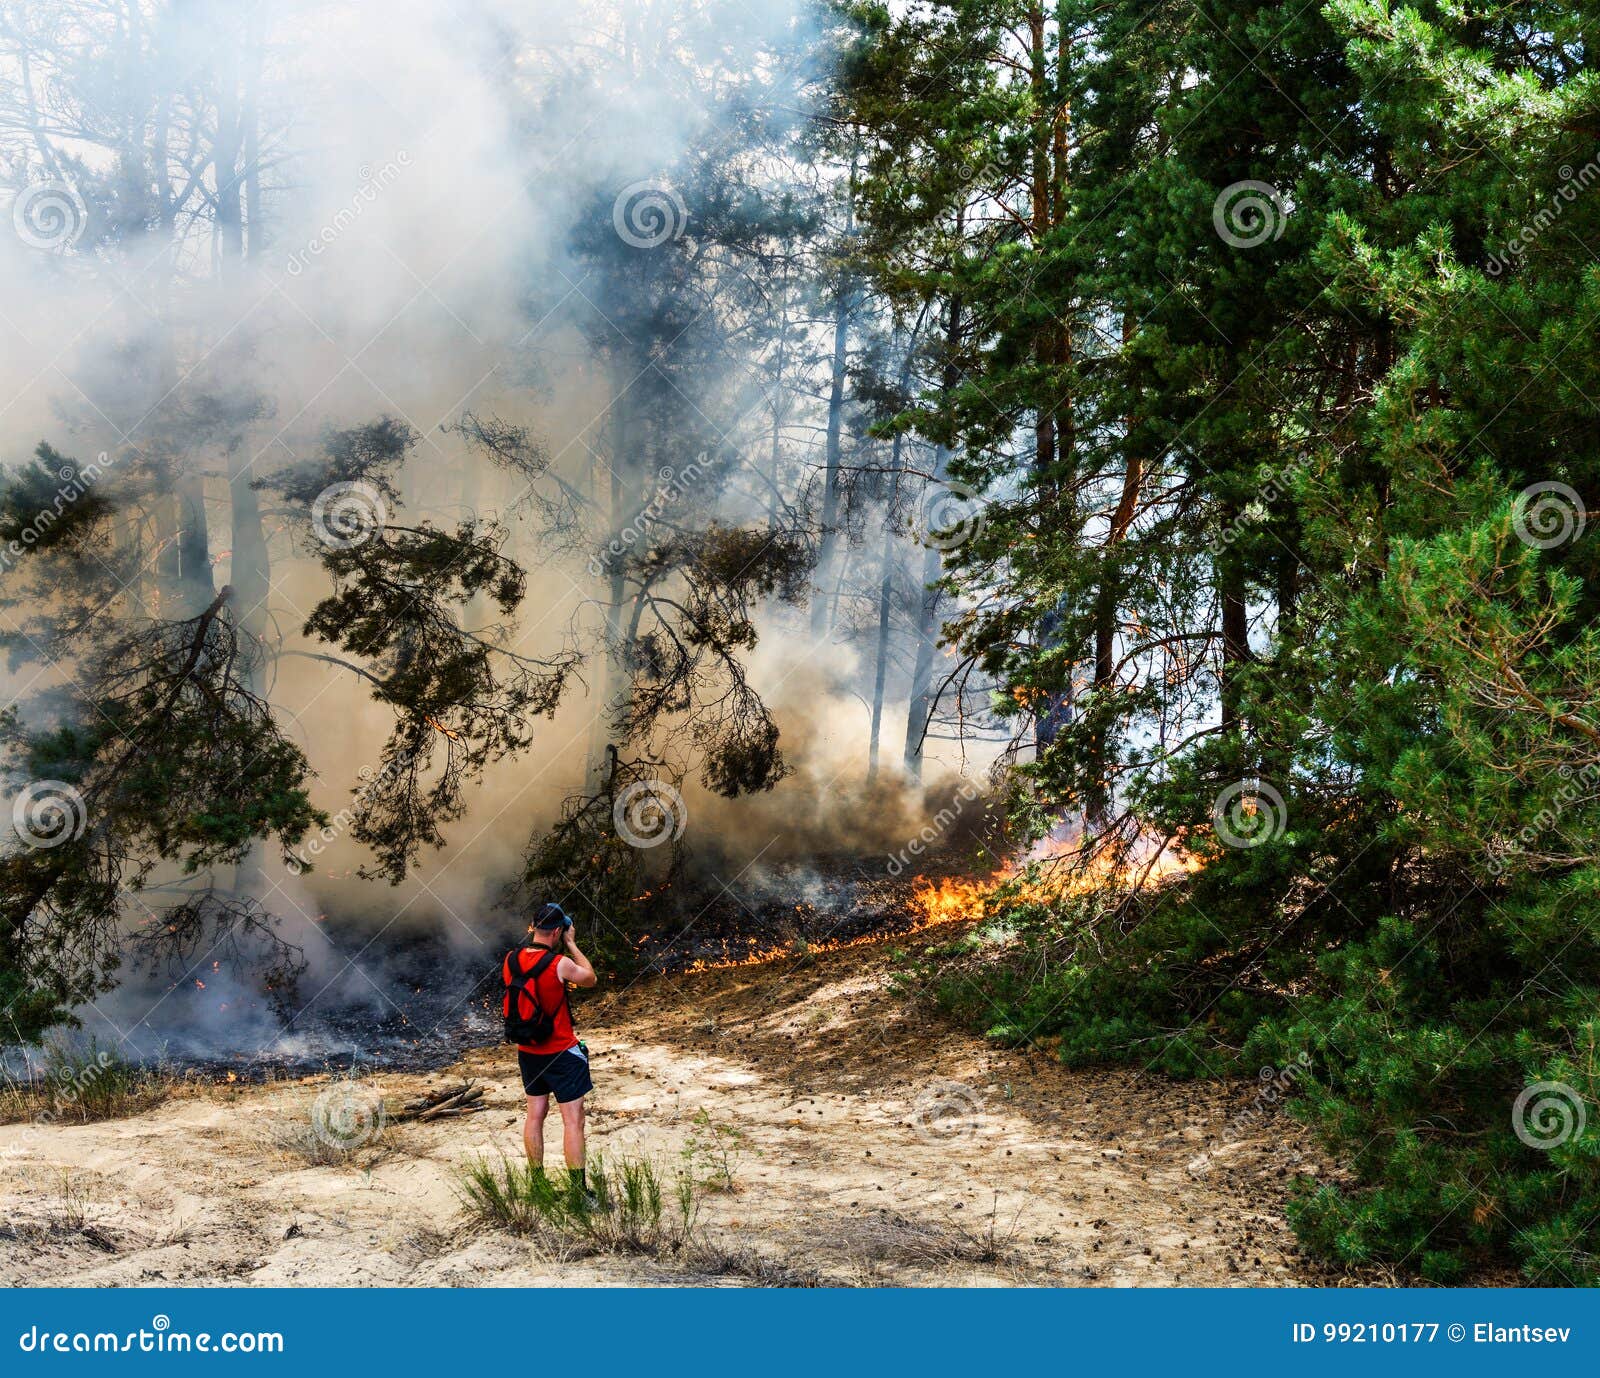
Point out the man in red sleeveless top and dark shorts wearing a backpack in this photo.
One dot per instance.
(558, 1065)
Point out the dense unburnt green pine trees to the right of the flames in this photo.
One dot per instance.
(1316, 521)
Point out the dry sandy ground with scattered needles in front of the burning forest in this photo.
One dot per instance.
(870, 1144)
